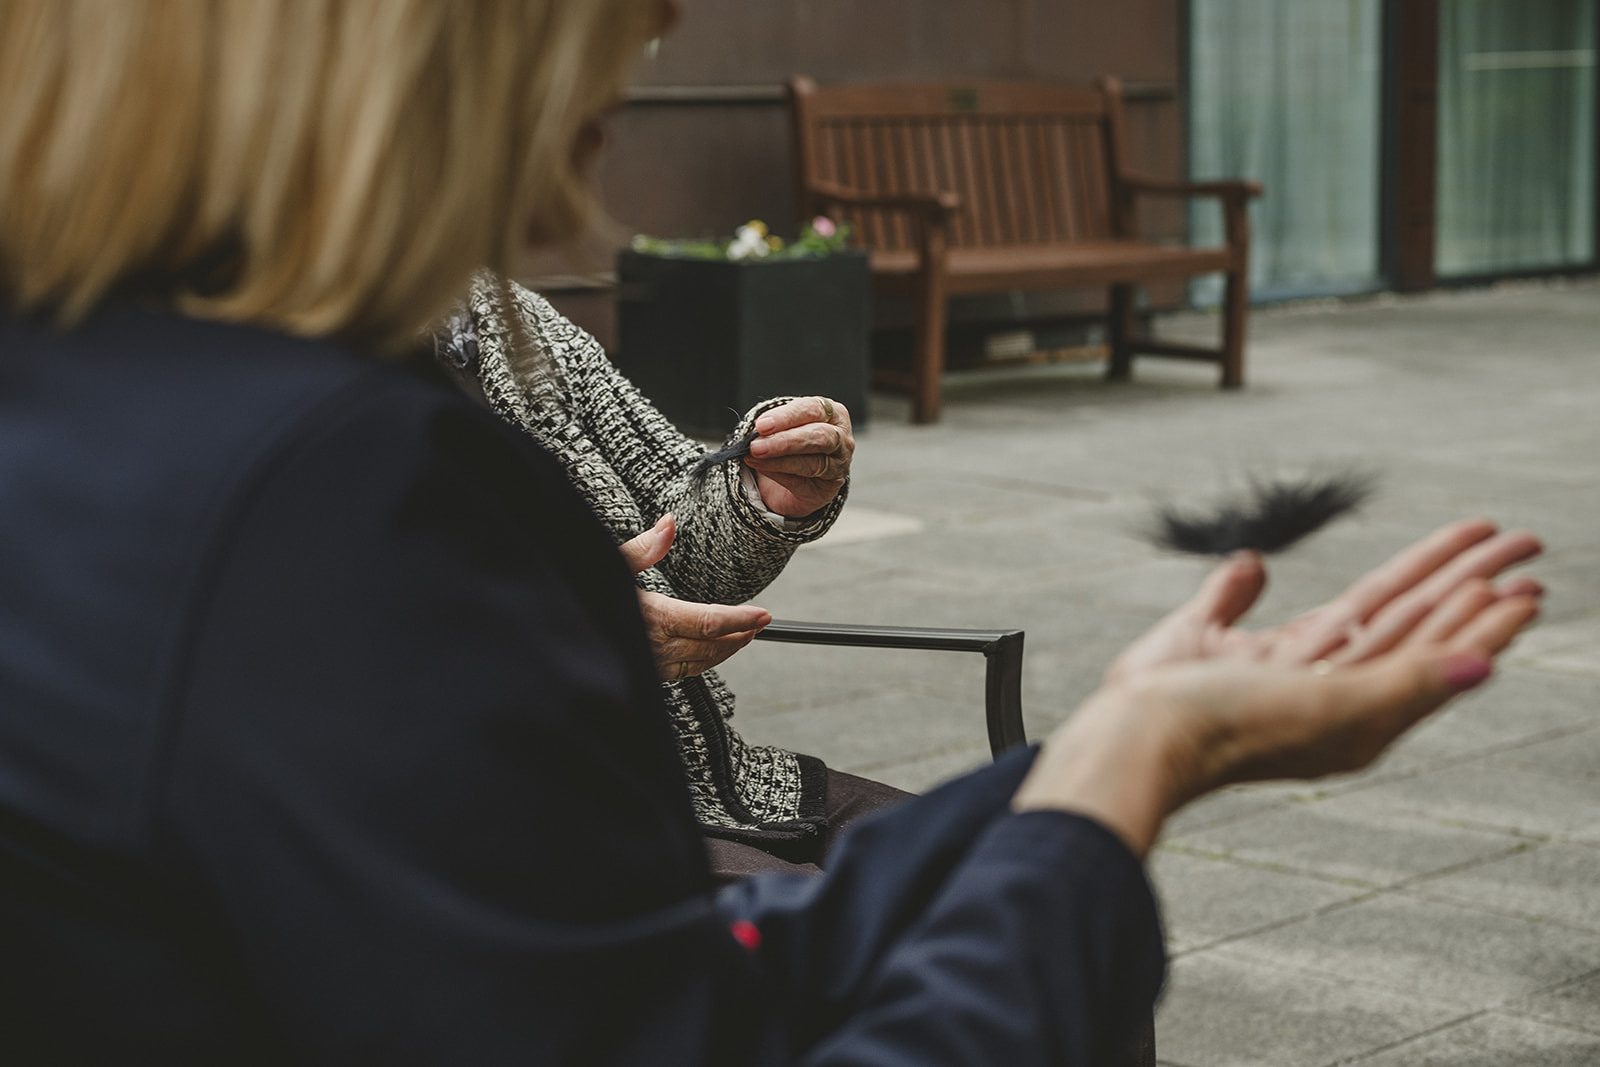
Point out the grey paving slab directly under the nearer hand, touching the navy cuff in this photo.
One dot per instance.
(1335, 841)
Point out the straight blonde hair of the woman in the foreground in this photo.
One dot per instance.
(322, 167)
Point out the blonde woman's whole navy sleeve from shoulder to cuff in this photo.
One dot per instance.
(418, 780)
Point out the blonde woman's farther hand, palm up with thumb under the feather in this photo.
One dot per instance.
(1422, 593)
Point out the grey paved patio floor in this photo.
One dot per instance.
(1442, 908)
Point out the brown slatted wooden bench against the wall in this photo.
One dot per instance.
(996, 188)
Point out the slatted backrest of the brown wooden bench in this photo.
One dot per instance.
(1034, 164)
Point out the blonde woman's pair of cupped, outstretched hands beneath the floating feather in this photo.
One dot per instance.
(1198, 705)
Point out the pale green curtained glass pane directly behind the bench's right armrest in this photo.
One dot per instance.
(1289, 94)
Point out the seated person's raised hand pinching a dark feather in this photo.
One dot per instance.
(802, 455)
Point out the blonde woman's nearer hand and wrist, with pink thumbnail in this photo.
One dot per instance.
(1143, 748)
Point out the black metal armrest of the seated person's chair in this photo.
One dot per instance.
(1002, 652)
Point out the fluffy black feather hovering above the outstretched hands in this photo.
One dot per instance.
(1271, 518)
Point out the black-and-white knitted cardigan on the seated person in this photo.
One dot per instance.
(631, 465)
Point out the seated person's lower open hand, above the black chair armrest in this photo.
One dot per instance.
(687, 639)
